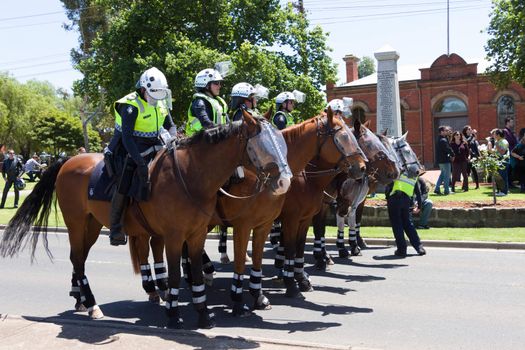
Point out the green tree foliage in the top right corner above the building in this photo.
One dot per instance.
(506, 45)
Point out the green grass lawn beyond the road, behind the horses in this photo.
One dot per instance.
(513, 234)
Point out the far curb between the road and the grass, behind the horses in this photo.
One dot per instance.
(379, 241)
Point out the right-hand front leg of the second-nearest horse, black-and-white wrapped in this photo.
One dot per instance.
(259, 237)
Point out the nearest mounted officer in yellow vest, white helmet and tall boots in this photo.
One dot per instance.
(139, 117)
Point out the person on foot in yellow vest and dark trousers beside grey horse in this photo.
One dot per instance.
(399, 201)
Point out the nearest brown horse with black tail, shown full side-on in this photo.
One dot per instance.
(183, 198)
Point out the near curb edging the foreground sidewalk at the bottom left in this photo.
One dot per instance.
(144, 330)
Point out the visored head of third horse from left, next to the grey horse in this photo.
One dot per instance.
(382, 162)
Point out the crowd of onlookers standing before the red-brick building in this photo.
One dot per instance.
(455, 151)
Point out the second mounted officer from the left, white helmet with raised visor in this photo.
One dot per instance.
(207, 109)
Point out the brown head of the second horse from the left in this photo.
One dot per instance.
(343, 149)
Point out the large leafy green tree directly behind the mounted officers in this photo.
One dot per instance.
(182, 37)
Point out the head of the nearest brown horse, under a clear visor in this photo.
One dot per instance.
(267, 151)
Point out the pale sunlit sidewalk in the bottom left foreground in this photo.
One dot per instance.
(18, 332)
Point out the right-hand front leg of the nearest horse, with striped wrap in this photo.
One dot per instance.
(195, 245)
